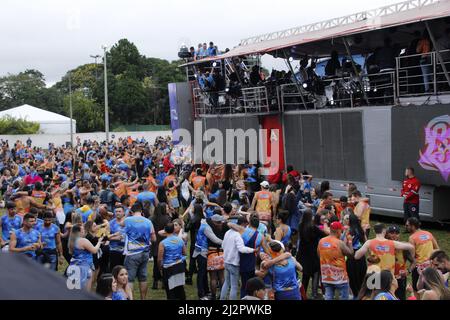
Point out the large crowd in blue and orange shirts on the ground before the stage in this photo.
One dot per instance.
(102, 212)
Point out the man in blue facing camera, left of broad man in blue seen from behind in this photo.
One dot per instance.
(117, 239)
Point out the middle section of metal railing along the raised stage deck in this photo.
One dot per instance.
(342, 92)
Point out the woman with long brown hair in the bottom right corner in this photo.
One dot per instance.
(434, 287)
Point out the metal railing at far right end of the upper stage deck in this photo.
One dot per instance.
(422, 74)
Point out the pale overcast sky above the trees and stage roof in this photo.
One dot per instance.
(54, 36)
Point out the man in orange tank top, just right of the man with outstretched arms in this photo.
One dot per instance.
(424, 244)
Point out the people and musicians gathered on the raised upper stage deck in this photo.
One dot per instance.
(343, 83)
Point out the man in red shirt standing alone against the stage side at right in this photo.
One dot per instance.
(410, 194)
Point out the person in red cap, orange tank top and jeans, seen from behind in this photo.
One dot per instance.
(332, 252)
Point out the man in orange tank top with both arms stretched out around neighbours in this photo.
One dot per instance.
(383, 248)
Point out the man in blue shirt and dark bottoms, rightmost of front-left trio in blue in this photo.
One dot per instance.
(51, 242)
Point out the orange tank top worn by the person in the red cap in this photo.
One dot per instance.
(332, 261)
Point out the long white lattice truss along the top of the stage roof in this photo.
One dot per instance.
(341, 21)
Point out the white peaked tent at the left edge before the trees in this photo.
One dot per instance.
(50, 122)
